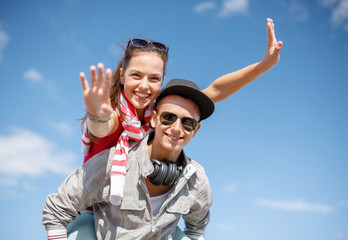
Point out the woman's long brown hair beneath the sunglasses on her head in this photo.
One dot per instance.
(116, 84)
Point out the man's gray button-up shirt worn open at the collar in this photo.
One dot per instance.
(133, 219)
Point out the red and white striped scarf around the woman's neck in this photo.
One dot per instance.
(133, 130)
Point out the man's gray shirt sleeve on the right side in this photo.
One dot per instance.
(198, 217)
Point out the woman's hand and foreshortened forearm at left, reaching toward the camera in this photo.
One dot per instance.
(97, 102)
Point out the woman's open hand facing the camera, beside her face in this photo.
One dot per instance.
(96, 97)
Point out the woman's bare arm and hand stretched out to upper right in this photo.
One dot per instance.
(228, 84)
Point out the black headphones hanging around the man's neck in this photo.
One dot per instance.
(165, 172)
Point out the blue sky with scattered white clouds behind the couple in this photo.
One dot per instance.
(275, 152)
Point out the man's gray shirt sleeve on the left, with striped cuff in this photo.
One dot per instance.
(81, 189)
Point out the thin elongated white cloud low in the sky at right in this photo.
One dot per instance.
(296, 206)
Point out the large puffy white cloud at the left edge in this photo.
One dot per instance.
(27, 154)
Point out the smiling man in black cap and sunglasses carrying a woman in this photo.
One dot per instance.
(162, 184)
